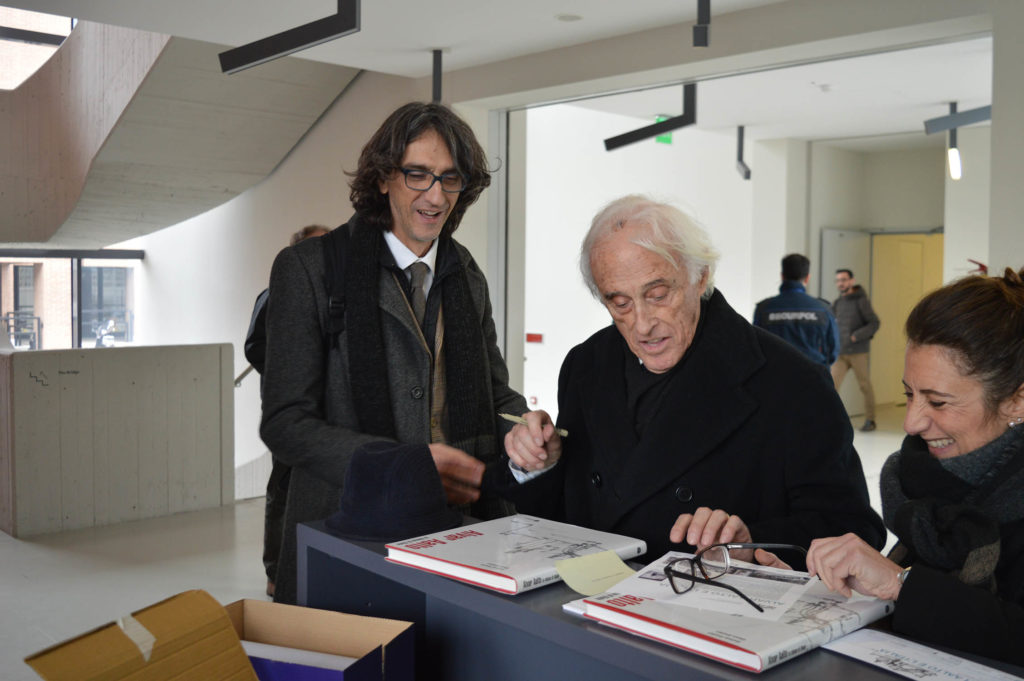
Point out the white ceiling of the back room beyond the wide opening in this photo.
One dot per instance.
(879, 101)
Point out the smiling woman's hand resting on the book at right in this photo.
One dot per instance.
(847, 563)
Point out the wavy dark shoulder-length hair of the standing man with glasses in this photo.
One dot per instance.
(382, 157)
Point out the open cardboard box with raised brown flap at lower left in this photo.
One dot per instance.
(192, 636)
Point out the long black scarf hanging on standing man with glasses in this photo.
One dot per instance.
(468, 395)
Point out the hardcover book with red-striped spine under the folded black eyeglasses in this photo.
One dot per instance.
(800, 614)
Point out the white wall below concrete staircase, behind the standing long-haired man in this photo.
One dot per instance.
(200, 278)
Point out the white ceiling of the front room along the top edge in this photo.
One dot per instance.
(399, 36)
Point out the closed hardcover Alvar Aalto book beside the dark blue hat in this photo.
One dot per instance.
(511, 555)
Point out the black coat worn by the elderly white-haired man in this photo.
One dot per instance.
(746, 424)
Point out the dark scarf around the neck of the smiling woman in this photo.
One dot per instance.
(947, 522)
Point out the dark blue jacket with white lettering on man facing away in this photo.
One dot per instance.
(802, 321)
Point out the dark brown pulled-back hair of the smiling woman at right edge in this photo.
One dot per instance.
(982, 320)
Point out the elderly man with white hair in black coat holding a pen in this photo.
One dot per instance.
(687, 425)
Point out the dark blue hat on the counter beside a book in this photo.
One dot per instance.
(393, 492)
